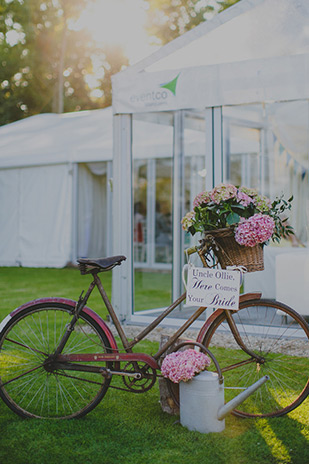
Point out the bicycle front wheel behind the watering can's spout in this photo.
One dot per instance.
(280, 338)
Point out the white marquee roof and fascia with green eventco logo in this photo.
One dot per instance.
(240, 56)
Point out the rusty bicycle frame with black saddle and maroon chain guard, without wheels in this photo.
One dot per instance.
(75, 362)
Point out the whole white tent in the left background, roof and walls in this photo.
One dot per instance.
(43, 223)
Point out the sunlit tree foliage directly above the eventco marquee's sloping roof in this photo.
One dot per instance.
(168, 20)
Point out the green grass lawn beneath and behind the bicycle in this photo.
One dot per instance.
(128, 428)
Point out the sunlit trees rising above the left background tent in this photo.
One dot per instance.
(45, 62)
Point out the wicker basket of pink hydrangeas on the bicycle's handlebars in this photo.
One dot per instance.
(237, 223)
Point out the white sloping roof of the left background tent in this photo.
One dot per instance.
(57, 138)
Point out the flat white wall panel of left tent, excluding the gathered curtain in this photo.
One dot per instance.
(36, 216)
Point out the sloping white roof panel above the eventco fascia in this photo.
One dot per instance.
(251, 29)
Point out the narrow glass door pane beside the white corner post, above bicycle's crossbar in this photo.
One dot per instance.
(152, 152)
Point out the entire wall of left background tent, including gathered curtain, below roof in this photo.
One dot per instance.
(43, 225)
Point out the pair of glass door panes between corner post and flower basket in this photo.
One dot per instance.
(169, 170)
